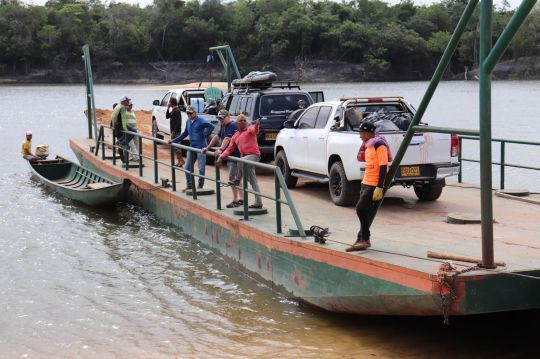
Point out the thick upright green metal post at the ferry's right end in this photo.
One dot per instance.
(486, 25)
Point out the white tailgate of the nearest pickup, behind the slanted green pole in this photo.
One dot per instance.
(425, 148)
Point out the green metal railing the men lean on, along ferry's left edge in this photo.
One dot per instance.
(279, 181)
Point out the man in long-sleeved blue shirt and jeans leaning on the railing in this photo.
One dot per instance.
(198, 129)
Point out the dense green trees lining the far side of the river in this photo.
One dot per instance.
(403, 37)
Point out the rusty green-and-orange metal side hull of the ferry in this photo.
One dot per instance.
(329, 279)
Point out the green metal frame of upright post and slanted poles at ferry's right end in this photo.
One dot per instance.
(488, 58)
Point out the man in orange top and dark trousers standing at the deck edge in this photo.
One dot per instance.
(376, 153)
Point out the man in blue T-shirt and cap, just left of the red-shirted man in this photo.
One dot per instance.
(226, 131)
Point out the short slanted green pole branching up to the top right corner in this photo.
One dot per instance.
(508, 34)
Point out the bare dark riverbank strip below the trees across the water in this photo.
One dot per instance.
(308, 71)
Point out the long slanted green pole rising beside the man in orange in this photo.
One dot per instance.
(437, 75)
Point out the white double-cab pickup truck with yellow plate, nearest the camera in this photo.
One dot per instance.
(322, 144)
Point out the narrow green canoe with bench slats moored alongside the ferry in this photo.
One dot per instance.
(75, 182)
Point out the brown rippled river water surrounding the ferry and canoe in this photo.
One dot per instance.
(81, 282)
